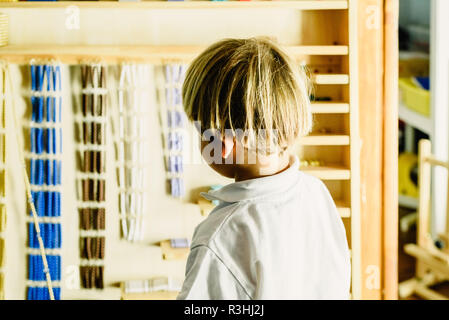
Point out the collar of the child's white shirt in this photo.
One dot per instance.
(258, 187)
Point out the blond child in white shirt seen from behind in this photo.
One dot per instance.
(276, 233)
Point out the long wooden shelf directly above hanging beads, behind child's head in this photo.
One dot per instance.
(74, 54)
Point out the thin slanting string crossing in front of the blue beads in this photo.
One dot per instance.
(30, 201)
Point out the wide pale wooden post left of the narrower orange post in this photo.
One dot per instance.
(370, 69)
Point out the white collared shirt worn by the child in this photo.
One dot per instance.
(275, 237)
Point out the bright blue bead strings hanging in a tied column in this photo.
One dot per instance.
(45, 176)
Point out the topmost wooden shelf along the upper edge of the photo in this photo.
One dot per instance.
(301, 4)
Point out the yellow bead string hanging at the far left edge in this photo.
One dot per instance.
(2, 177)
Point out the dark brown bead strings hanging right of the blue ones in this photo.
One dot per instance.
(92, 176)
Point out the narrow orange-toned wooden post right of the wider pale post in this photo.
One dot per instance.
(390, 155)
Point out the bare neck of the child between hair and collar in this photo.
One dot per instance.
(271, 166)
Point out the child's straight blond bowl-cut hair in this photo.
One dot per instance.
(248, 84)
